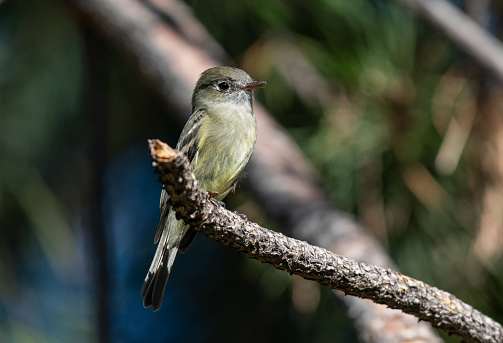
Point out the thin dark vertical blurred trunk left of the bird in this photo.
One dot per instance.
(96, 138)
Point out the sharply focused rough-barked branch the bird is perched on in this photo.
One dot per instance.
(363, 280)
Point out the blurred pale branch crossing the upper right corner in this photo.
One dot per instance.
(470, 37)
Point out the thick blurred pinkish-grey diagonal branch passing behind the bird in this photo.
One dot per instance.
(171, 50)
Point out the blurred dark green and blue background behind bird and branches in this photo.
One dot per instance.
(405, 130)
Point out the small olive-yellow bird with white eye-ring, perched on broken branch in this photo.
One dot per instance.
(218, 139)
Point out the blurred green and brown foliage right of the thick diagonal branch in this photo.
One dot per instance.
(373, 135)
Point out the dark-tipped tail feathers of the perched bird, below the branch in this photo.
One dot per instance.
(152, 290)
